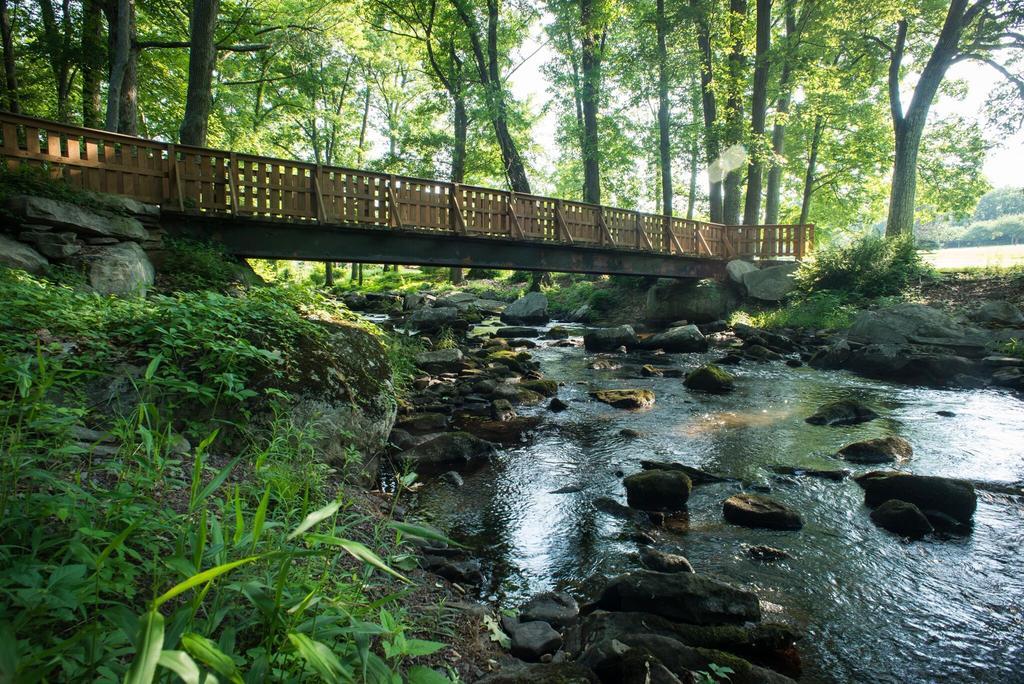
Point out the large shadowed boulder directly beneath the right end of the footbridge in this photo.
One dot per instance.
(695, 302)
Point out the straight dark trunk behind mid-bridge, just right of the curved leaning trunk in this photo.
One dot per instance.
(590, 65)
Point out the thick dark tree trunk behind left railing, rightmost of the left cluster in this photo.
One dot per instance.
(202, 57)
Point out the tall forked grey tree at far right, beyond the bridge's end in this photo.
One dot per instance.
(979, 31)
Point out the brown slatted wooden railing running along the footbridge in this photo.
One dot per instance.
(186, 179)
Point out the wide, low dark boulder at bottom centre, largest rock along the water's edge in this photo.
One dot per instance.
(681, 597)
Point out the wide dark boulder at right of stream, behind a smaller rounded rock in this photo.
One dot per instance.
(955, 498)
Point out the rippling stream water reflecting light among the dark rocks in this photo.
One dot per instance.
(874, 609)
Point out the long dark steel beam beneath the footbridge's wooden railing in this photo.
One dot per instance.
(270, 239)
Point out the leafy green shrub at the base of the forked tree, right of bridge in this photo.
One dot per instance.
(872, 267)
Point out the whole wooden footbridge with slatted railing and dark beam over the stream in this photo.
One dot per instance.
(274, 208)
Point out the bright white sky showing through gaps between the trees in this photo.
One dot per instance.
(1003, 167)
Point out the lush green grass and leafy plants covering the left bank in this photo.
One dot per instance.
(138, 555)
